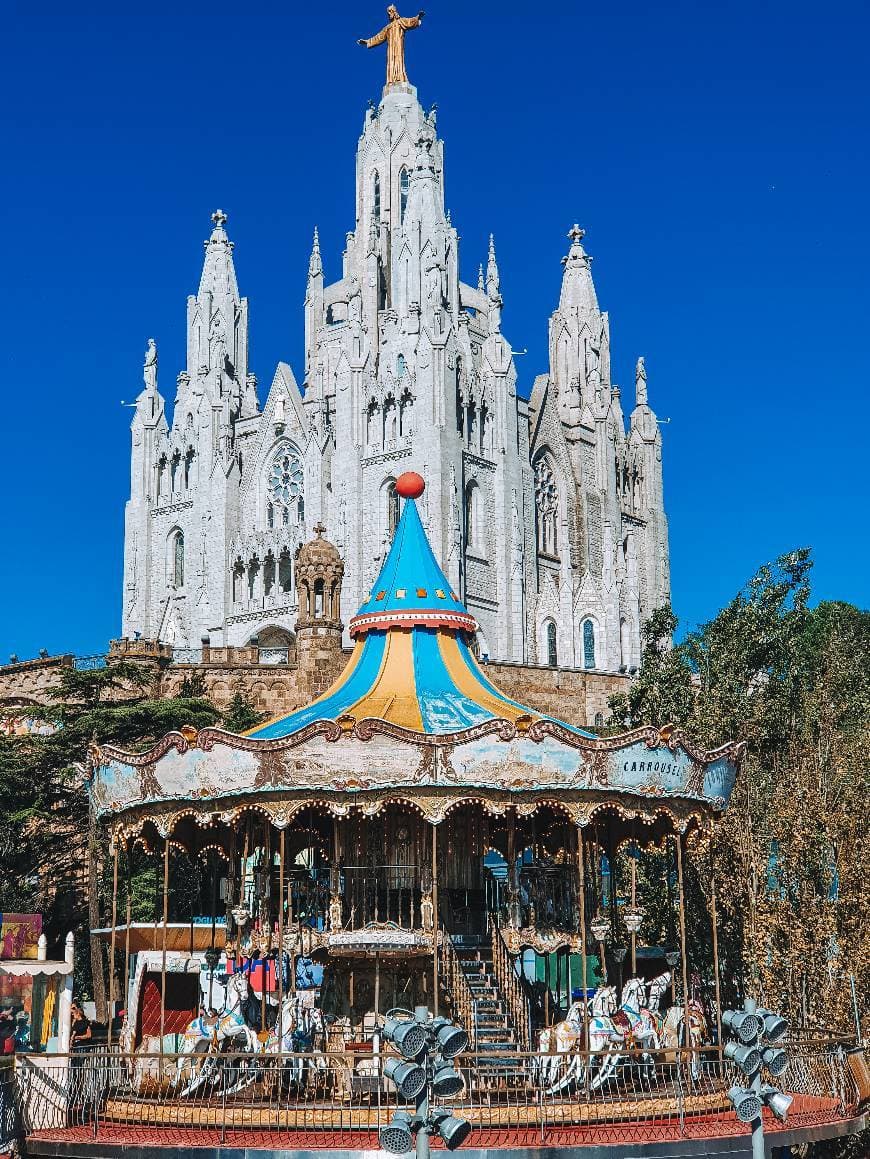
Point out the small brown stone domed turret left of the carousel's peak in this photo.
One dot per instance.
(319, 574)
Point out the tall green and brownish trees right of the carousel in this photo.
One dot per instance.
(791, 855)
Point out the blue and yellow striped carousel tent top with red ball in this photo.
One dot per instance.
(412, 665)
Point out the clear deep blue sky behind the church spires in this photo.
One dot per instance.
(717, 155)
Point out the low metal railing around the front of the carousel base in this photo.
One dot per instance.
(341, 1099)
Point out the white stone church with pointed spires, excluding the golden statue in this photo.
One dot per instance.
(547, 514)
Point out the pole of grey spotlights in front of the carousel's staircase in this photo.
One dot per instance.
(428, 1047)
